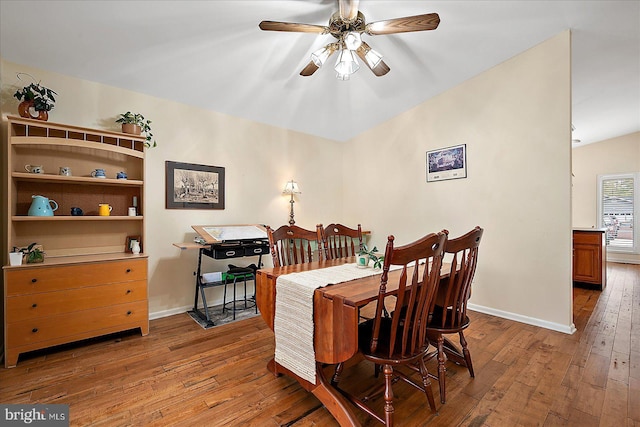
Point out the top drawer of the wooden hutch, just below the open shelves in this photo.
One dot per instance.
(29, 280)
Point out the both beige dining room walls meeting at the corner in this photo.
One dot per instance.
(514, 118)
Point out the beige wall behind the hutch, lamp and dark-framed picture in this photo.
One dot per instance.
(258, 160)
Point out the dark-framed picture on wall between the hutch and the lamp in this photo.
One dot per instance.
(191, 186)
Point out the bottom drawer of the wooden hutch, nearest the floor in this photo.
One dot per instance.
(79, 322)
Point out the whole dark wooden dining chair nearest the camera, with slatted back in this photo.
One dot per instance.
(393, 341)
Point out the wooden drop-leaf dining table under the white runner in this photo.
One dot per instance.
(336, 310)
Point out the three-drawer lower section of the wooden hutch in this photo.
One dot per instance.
(49, 305)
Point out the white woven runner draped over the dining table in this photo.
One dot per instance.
(293, 321)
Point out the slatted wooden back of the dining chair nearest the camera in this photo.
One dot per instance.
(420, 264)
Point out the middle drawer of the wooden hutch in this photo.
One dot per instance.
(44, 304)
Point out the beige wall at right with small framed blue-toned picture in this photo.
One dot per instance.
(515, 121)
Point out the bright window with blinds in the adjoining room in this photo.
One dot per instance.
(618, 210)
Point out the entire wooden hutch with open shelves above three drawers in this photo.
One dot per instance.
(86, 244)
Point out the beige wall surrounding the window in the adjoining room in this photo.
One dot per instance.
(612, 156)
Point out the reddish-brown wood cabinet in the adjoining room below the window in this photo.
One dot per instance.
(590, 257)
